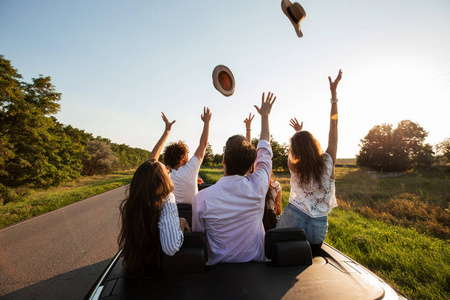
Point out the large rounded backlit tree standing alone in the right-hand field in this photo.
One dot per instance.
(385, 149)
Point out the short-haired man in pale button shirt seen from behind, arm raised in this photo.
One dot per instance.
(231, 211)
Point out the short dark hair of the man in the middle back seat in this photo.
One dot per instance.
(240, 155)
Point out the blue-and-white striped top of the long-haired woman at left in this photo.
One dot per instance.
(170, 234)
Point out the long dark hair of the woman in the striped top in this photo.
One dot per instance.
(140, 212)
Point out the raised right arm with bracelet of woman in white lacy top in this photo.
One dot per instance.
(333, 134)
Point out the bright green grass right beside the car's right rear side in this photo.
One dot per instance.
(416, 264)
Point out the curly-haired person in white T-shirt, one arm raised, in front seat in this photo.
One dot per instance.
(184, 171)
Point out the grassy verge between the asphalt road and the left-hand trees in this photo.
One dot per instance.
(41, 201)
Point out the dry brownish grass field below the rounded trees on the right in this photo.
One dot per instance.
(418, 200)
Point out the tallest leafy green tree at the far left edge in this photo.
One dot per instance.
(27, 147)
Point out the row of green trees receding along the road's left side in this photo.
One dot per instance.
(38, 151)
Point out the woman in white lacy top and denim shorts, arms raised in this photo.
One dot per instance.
(312, 194)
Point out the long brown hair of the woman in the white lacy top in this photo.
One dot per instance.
(308, 159)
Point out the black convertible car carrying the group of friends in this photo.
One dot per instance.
(292, 271)
